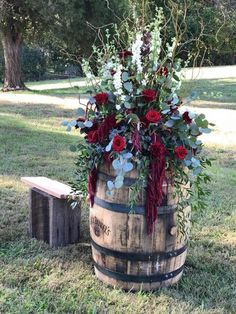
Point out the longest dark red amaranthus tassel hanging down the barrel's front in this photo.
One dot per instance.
(155, 183)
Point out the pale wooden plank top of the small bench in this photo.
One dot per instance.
(52, 187)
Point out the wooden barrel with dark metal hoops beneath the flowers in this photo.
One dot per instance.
(124, 255)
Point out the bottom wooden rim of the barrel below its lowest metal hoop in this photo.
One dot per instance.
(133, 286)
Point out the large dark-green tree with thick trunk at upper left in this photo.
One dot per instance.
(60, 26)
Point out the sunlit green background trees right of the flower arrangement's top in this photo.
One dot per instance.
(205, 27)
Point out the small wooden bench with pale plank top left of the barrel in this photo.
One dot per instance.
(51, 218)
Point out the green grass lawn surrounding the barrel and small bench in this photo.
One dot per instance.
(36, 279)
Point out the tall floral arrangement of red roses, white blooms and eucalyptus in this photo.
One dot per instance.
(134, 119)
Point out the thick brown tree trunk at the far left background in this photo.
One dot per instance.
(12, 46)
